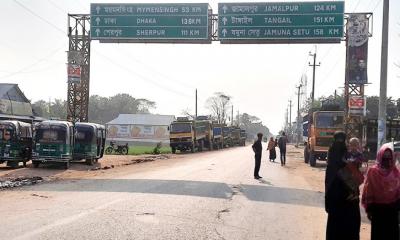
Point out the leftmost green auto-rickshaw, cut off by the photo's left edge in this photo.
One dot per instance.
(15, 142)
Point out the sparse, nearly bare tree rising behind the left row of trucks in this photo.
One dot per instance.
(219, 105)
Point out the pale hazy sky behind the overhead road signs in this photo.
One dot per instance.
(260, 78)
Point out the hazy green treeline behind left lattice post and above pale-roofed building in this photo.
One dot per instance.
(101, 109)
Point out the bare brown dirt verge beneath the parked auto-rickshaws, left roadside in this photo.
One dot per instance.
(11, 178)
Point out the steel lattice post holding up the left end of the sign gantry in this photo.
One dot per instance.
(79, 41)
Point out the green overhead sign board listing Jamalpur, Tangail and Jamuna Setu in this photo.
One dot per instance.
(281, 22)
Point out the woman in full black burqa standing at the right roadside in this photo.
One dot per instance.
(342, 207)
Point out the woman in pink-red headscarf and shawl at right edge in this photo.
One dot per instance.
(381, 196)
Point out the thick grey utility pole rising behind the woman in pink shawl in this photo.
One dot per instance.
(383, 83)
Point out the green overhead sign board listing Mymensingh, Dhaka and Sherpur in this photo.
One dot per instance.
(162, 22)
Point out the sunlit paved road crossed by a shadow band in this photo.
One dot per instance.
(200, 196)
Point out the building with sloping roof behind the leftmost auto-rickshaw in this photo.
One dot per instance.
(14, 105)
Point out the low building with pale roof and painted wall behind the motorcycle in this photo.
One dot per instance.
(140, 128)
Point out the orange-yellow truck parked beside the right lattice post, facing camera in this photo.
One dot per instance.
(320, 132)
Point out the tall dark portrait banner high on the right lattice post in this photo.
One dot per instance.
(357, 48)
